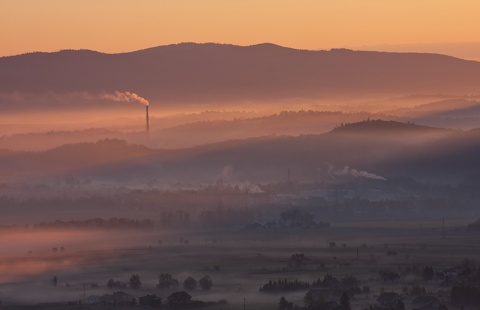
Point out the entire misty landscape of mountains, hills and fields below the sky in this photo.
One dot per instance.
(225, 177)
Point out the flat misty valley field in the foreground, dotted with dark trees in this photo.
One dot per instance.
(238, 262)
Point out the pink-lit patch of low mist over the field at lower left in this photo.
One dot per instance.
(30, 253)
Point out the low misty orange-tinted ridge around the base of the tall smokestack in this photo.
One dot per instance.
(191, 133)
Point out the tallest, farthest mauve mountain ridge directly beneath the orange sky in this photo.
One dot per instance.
(192, 73)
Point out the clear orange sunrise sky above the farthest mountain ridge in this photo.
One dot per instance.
(126, 25)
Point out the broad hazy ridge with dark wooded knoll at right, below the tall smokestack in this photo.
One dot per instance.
(384, 148)
